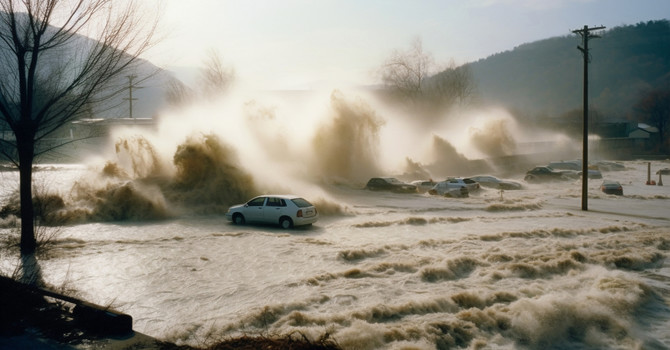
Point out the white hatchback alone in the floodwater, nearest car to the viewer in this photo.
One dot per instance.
(285, 210)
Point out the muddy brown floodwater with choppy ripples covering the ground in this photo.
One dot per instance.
(521, 269)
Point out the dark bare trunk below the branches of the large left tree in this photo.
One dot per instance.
(26, 156)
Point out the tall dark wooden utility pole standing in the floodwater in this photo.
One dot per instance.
(586, 35)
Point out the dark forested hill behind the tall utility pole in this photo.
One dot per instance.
(545, 78)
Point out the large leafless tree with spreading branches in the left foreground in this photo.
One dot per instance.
(59, 58)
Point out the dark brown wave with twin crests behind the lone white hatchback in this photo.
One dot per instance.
(139, 186)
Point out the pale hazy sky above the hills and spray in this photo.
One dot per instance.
(334, 43)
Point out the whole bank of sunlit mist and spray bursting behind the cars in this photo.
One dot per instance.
(211, 154)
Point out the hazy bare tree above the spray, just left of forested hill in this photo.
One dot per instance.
(404, 72)
